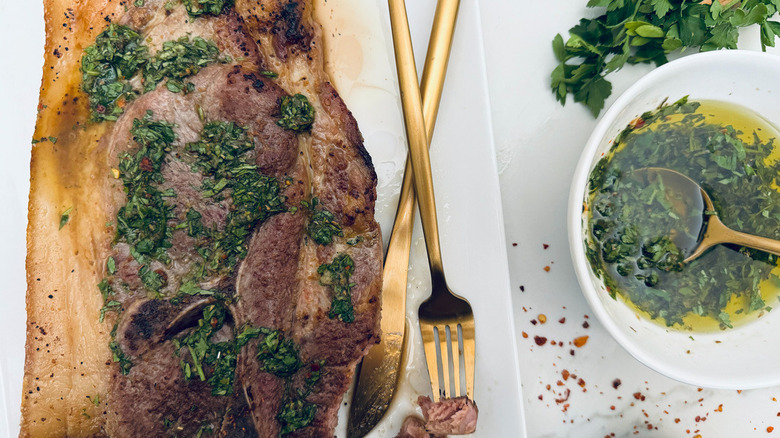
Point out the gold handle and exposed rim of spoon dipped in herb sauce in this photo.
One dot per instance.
(714, 232)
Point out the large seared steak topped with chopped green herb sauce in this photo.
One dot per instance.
(223, 204)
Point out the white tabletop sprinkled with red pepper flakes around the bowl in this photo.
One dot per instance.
(538, 143)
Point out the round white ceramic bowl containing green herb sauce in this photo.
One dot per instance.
(747, 356)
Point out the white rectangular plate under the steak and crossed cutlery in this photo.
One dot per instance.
(360, 52)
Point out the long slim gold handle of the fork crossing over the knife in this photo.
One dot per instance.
(416, 135)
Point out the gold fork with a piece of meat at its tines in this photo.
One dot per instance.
(446, 320)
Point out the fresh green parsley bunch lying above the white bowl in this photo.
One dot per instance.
(646, 31)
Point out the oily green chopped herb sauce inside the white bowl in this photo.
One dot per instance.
(639, 232)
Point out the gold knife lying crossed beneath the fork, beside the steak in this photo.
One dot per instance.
(378, 376)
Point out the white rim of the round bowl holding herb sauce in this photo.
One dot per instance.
(576, 232)
